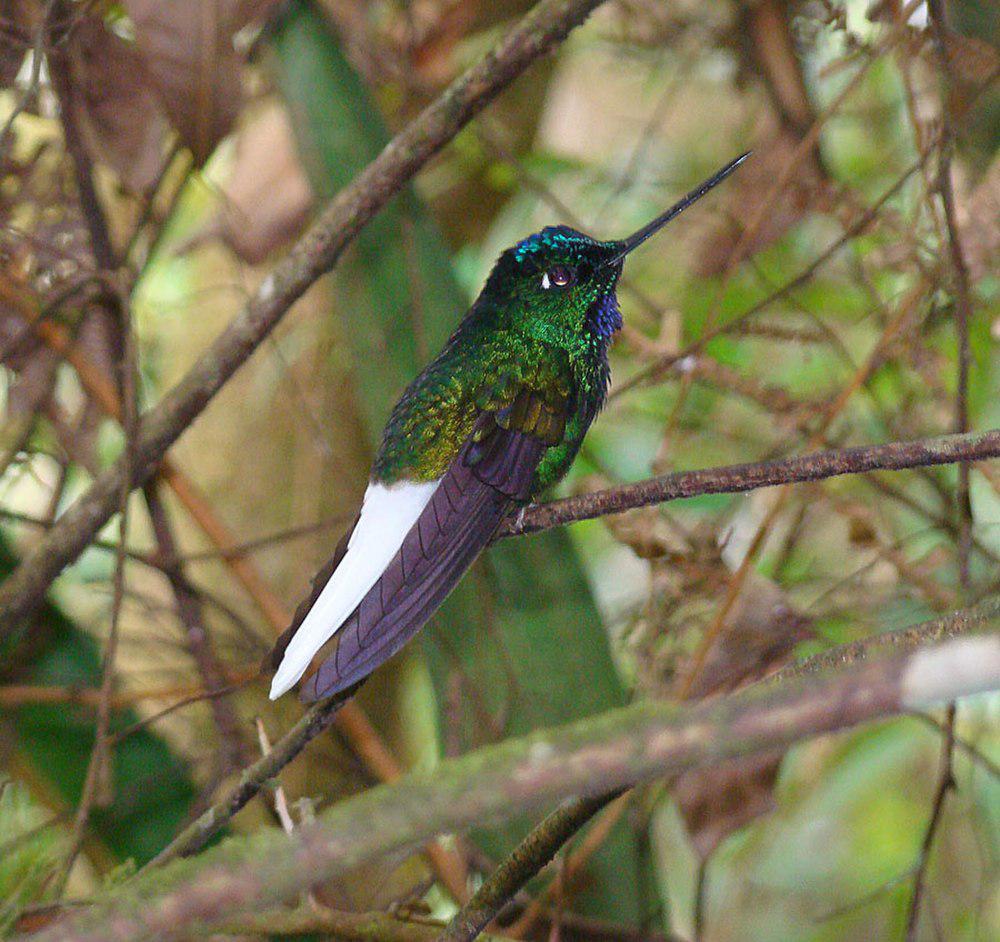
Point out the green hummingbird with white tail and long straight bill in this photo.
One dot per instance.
(494, 420)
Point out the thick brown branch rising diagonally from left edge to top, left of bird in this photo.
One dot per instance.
(544, 27)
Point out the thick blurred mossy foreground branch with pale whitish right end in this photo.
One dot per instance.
(586, 758)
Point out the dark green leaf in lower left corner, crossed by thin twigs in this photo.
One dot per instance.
(152, 789)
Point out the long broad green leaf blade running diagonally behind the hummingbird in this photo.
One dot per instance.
(538, 655)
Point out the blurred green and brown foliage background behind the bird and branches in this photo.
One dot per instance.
(808, 303)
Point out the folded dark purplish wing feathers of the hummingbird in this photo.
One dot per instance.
(490, 476)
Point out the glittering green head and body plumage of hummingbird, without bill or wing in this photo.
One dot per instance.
(542, 323)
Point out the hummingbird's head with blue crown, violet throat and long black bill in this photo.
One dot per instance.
(561, 284)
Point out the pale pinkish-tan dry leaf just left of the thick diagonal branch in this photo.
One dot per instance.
(267, 196)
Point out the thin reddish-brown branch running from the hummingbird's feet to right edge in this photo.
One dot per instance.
(734, 479)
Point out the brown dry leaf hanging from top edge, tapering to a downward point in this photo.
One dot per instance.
(187, 46)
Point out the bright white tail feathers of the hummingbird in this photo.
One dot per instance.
(387, 514)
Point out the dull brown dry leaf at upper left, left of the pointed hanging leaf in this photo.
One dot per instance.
(119, 114)
